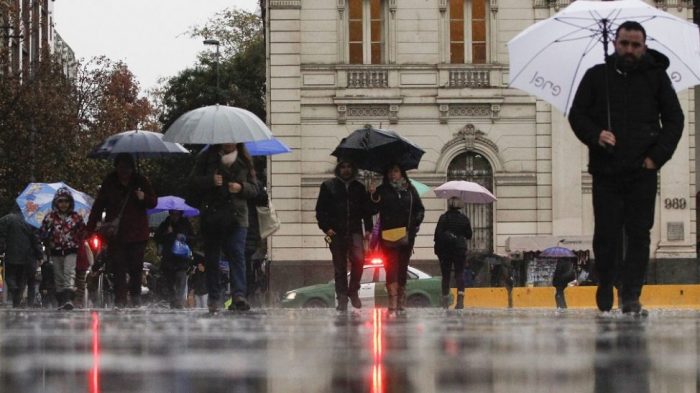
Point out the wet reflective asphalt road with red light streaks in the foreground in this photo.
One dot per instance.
(277, 350)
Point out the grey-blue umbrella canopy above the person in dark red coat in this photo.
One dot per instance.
(141, 144)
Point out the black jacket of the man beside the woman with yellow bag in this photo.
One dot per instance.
(343, 206)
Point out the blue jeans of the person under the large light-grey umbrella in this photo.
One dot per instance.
(232, 244)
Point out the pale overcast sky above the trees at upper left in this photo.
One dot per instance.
(148, 35)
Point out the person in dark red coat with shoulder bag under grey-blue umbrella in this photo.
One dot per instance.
(124, 197)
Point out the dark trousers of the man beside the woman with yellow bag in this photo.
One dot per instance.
(347, 249)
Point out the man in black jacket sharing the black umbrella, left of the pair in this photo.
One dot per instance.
(342, 209)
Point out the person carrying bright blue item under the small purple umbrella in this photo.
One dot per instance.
(174, 266)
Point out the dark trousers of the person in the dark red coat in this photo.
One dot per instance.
(127, 258)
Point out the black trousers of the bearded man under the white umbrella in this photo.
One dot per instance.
(623, 208)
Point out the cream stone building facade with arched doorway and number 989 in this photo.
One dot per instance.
(436, 71)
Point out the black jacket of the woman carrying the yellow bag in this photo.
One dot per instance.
(397, 207)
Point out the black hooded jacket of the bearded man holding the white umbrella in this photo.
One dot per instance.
(646, 116)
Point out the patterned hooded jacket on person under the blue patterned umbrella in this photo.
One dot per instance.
(62, 233)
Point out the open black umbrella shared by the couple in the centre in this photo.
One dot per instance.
(375, 149)
